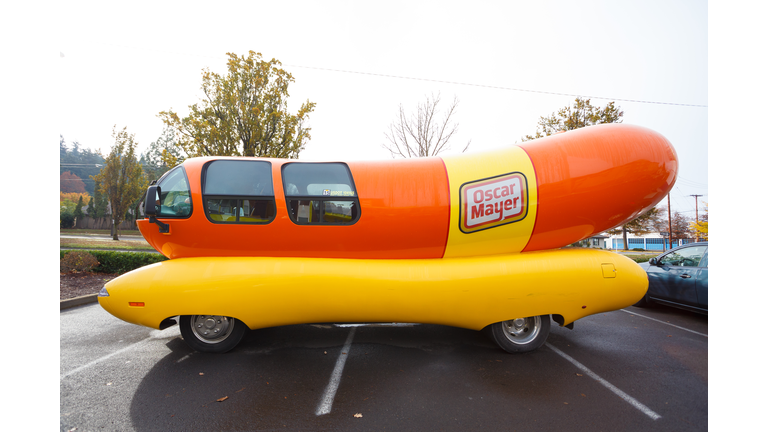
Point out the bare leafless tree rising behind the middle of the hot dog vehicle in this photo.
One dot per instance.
(423, 134)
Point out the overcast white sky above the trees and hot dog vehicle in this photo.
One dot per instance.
(123, 64)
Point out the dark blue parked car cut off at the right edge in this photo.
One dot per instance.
(679, 278)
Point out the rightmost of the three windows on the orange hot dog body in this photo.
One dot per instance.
(320, 193)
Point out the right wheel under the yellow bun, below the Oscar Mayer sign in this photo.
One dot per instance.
(521, 334)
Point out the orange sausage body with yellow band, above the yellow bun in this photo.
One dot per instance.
(577, 184)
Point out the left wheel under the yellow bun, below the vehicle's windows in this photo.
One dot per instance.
(211, 333)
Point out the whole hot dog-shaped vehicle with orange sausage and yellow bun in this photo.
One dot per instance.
(473, 241)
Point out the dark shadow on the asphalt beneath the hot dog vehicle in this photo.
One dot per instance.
(433, 375)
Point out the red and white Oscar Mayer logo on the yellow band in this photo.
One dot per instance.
(492, 202)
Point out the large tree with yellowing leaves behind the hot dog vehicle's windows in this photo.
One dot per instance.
(242, 113)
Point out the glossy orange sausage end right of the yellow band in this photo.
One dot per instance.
(596, 178)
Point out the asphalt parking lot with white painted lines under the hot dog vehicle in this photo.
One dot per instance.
(633, 369)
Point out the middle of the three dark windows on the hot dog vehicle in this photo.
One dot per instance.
(238, 191)
